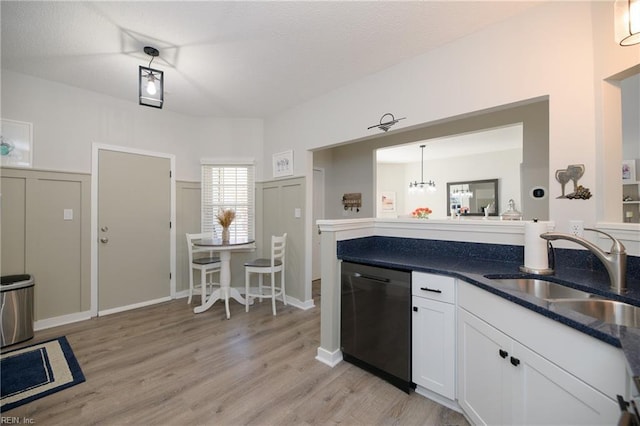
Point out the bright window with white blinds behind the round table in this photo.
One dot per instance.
(228, 186)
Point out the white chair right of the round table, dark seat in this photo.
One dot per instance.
(267, 266)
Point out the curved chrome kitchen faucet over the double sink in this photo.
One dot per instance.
(615, 261)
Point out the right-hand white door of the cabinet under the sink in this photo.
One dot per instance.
(544, 394)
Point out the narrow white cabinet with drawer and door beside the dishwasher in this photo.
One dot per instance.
(433, 333)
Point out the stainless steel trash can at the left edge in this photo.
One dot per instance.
(16, 308)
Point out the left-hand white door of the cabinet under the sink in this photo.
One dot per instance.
(483, 389)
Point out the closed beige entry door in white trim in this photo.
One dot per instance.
(134, 214)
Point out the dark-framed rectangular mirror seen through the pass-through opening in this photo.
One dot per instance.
(473, 198)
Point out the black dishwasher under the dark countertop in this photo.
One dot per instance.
(375, 326)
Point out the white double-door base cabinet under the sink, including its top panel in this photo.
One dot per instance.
(502, 381)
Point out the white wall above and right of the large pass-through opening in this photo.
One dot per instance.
(546, 51)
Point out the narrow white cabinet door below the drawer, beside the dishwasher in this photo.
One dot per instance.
(433, 343)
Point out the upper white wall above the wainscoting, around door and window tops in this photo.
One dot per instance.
(67, 120)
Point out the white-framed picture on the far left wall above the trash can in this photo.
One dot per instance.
(16, 147)
